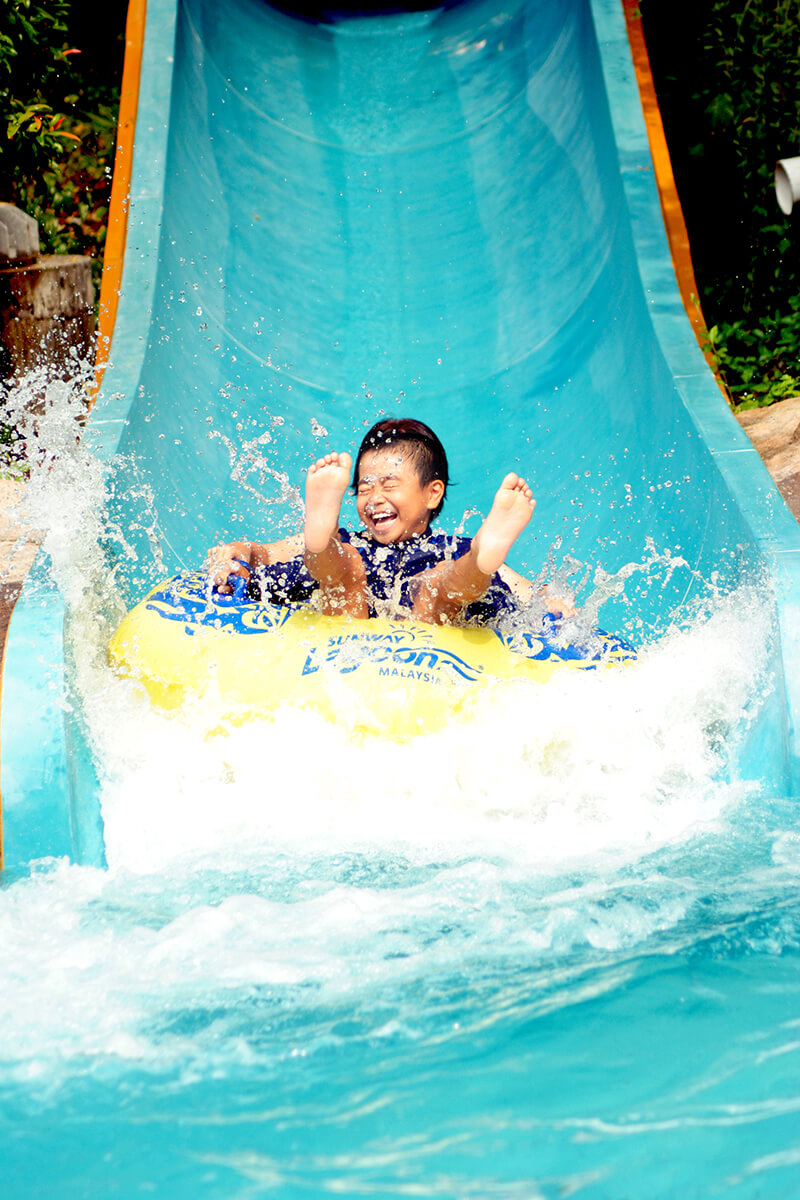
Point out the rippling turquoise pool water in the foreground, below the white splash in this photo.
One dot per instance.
(394, 1024)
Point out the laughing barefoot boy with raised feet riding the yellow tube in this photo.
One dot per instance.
(401, 479)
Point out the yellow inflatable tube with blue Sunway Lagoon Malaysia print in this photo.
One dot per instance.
(394, 679)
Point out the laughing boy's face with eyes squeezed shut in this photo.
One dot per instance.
(393, 503)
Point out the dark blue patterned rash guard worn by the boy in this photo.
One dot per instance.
(390, 571)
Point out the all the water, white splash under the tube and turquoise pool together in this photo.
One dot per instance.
(550, 952)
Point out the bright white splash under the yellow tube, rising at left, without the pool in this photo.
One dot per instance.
(613, 761)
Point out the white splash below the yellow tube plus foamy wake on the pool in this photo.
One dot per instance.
(480, 824)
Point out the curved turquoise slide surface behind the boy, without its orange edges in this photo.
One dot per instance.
(448, 214)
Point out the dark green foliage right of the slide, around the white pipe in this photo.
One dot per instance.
(729, 81)
